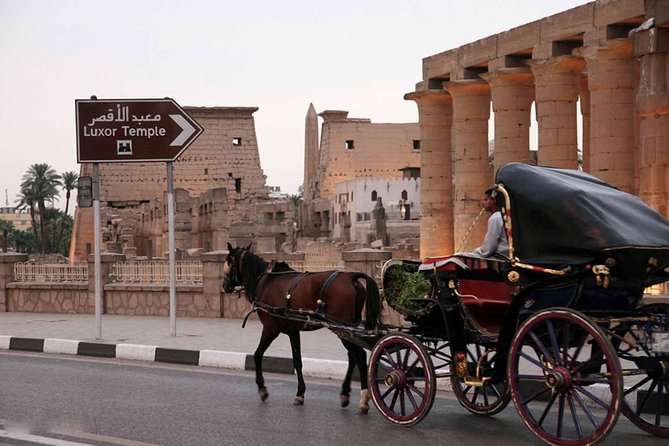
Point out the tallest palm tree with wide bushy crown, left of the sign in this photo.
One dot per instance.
(42, 181)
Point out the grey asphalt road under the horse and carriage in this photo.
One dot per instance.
(50, 400)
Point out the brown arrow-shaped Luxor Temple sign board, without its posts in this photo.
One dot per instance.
(132, 130)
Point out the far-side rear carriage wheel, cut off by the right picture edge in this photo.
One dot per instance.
(645, 372)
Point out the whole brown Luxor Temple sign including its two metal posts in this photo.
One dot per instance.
(127, 131)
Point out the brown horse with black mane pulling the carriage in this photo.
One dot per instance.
(332, 296)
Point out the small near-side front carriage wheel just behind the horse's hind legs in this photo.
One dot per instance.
(401, 378)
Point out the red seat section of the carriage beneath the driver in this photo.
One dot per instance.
(481, 286)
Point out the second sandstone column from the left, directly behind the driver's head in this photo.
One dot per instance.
(472, 173)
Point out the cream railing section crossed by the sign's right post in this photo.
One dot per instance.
(156, 272)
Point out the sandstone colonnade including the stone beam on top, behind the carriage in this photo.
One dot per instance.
(595, 60)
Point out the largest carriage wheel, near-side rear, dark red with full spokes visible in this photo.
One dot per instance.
(565, 378)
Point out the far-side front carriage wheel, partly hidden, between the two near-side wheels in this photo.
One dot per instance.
(485, 399)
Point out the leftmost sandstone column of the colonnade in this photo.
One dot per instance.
(436, 194)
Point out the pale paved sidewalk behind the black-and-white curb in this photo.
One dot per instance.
(192, 333)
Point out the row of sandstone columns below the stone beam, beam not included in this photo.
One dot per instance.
(625, 133)
